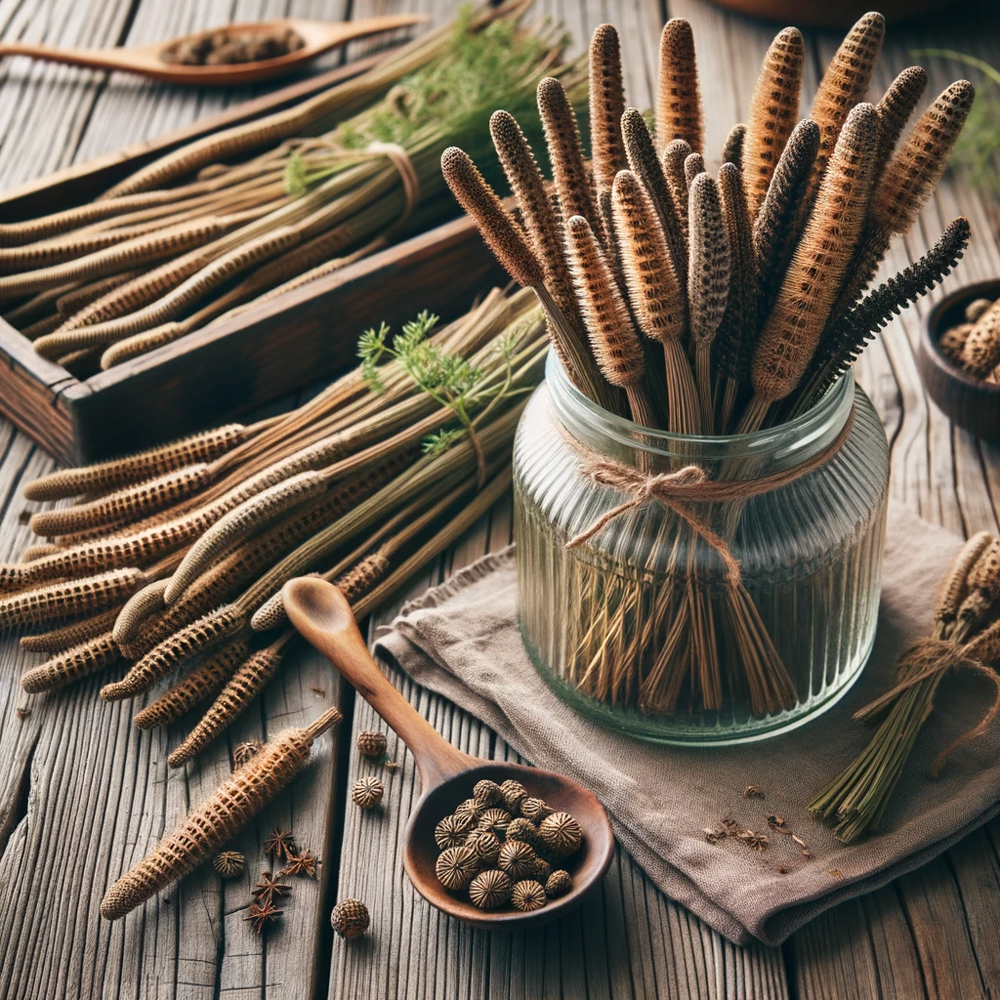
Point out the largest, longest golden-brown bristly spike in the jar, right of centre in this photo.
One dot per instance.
(793, 329)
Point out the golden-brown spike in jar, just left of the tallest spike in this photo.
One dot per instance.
(774, 110)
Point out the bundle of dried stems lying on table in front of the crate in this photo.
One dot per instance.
(178, 555)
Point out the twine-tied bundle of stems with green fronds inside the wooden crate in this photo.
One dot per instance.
(255, 209)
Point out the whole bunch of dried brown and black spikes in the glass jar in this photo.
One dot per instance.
(753, 283)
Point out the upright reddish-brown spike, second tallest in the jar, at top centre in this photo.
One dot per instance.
(678, 101)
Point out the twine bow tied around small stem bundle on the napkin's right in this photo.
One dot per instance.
(931, 658)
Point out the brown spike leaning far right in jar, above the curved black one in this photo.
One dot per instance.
(913, 173)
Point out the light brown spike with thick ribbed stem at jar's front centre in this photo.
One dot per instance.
(656, 296)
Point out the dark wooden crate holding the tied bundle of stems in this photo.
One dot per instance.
(233, 365)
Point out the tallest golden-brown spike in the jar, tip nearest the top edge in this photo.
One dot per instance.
(844, 84)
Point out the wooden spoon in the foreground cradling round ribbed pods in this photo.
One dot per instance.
(321, 614)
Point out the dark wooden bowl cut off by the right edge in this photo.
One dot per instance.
(969, 402)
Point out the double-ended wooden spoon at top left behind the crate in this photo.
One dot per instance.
(148, 60)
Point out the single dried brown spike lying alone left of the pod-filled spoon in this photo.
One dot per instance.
(230, 807)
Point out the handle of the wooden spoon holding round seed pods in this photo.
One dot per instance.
(322, 616)
